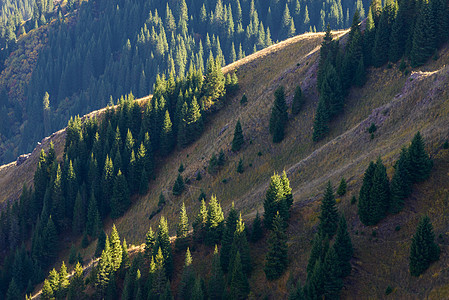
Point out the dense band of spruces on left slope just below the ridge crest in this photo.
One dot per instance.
(104, 163)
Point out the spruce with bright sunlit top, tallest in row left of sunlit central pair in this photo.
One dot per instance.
(214, 222)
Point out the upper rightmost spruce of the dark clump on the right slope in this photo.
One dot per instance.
(420, 163)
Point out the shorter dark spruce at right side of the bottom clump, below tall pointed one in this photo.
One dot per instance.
(343, 248)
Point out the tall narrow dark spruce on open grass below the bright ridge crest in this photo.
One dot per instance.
(279, 116)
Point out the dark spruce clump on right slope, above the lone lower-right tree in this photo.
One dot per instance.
(378, 196)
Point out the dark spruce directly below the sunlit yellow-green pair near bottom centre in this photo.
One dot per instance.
(276, 260)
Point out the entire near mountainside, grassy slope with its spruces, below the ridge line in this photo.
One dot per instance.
(322, 114)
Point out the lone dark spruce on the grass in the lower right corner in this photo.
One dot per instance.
(423, 250)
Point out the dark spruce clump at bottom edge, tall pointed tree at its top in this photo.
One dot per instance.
(329, 260)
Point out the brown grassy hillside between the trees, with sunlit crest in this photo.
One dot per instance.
(398, 104)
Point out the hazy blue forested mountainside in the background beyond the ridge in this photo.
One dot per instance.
(110, 48)
